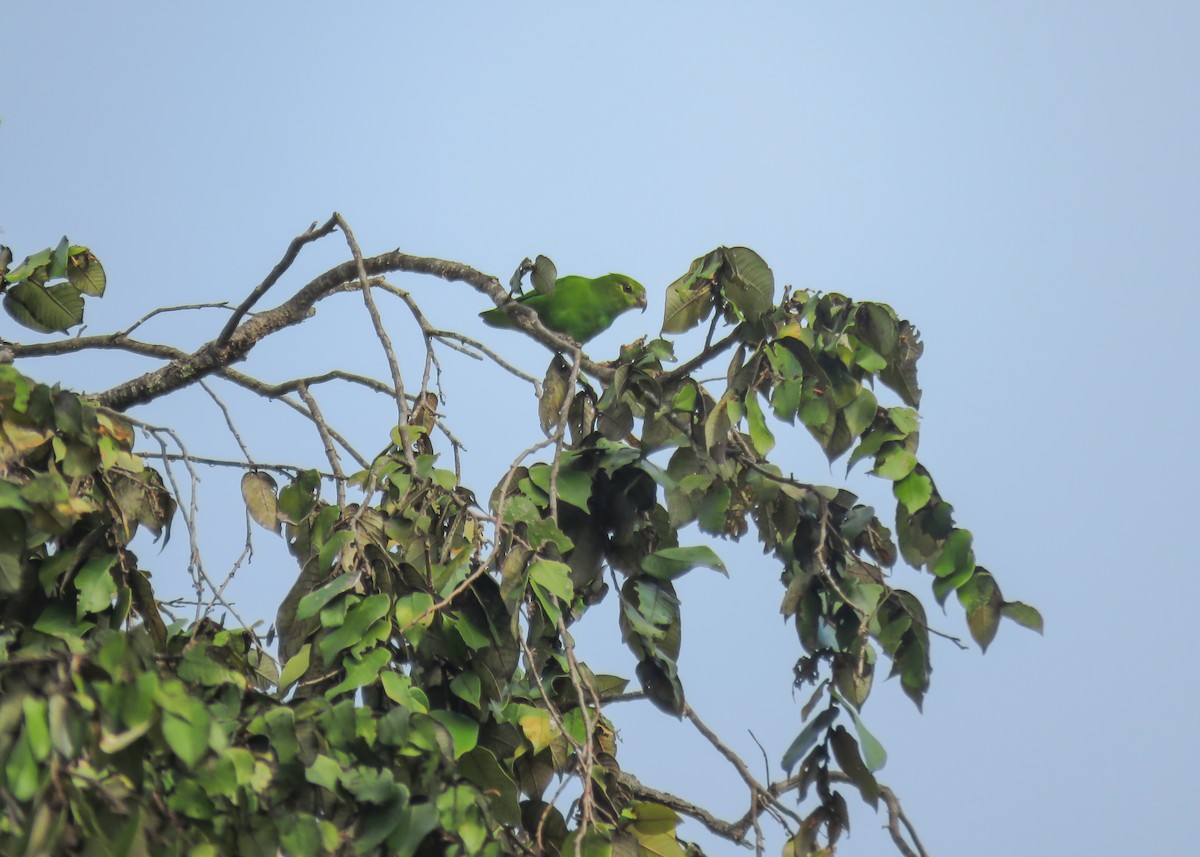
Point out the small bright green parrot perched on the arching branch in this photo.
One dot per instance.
(580, 308)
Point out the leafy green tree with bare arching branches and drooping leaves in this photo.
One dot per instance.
(427, 697)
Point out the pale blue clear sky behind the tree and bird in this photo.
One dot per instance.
(1019, 179)
